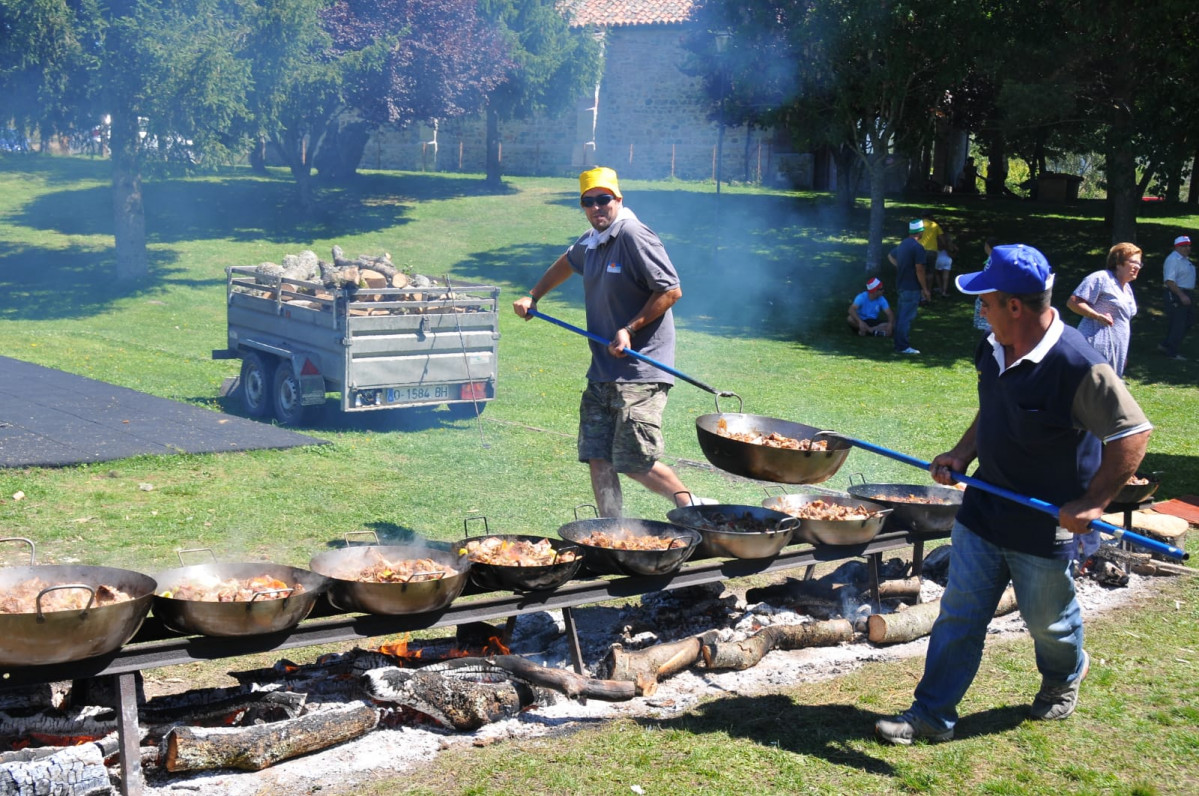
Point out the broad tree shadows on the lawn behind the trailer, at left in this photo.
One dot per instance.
(236, 206)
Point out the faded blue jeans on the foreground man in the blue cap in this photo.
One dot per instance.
(979, 574)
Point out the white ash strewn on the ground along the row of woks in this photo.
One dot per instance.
(390, 752)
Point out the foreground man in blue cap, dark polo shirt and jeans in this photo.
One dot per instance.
(1055, 423)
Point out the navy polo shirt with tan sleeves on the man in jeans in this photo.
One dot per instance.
(1040, 433)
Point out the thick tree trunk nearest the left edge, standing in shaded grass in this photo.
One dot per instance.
(129, 212)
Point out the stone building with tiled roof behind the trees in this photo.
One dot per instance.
(646, 118)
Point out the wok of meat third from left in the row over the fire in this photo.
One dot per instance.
(420, 595)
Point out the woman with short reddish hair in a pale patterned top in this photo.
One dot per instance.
(1106, 303)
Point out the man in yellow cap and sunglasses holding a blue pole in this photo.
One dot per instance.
(629, 287)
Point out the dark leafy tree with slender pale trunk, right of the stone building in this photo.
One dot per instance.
(854, 76)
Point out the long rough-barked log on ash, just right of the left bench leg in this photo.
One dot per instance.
(254, 749)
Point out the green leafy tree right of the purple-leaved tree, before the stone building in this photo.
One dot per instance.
(550, 67)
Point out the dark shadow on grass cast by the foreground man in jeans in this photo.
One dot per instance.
(832, 733)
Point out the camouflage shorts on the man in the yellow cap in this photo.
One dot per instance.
(622, 423)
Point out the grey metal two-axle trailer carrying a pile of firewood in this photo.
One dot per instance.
(381, 348)
